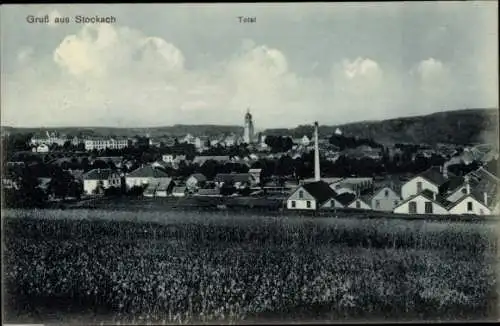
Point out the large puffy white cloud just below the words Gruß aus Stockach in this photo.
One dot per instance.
(99, 50)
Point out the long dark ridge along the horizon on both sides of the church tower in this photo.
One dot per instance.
(459, 127)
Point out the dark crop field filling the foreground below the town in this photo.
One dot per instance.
(179, 267)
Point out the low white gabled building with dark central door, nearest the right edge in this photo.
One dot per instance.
(472, 203)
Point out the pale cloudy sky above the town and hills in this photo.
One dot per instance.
(165, 64)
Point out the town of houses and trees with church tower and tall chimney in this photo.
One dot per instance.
(313, 172)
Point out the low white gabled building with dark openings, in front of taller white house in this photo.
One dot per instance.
(425, 202)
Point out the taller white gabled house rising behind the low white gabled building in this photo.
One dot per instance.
(432, 180)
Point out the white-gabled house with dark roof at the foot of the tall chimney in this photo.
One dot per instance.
(311, 196)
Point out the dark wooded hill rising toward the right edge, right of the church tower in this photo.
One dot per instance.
(456, 127)
